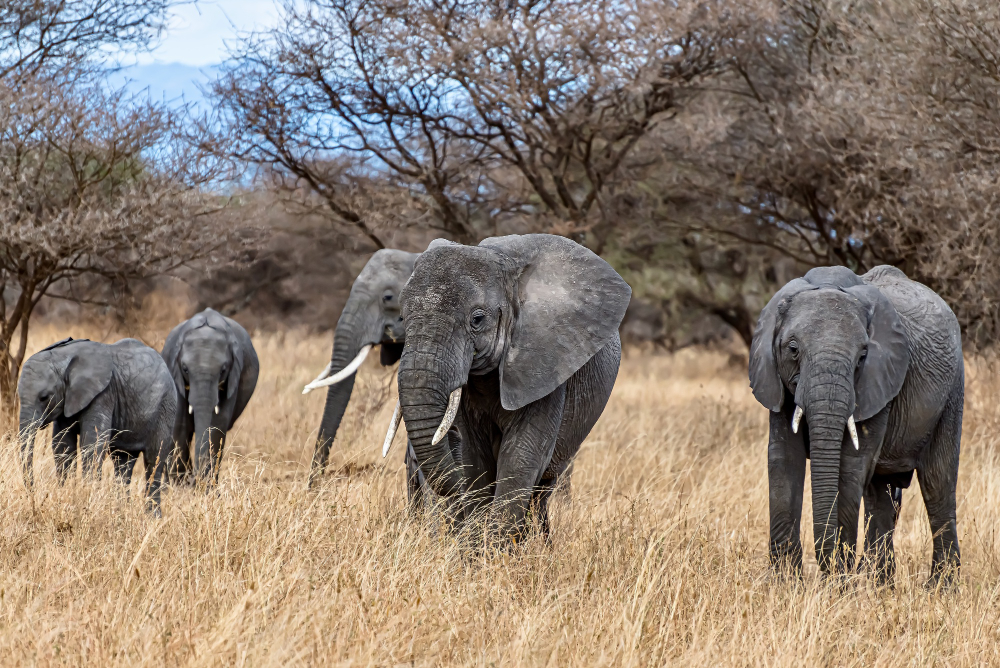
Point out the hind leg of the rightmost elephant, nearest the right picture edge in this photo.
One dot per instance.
(938, 475)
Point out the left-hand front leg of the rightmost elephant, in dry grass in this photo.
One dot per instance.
(786, 471)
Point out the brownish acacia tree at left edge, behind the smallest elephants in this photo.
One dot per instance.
(93, 182)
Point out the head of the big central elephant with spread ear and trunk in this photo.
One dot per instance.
(532, 308)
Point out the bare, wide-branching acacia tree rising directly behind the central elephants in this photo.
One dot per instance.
(482, 113)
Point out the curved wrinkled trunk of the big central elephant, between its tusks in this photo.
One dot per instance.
(425, 385)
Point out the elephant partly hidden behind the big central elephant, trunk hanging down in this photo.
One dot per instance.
(370, 316)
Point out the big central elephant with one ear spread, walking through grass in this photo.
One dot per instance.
(528, 326)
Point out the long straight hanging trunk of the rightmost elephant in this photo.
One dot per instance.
(828, 398)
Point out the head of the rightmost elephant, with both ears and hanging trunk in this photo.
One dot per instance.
(835, 346)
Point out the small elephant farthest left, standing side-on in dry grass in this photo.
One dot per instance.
(113, 399)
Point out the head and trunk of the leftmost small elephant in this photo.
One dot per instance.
(59, 380)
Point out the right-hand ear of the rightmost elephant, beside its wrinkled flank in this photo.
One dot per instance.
(884, 369)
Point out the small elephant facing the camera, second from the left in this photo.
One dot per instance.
(213, 364)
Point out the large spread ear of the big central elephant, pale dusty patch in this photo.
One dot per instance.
(570, 303)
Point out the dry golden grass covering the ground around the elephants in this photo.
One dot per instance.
(659, 558)
